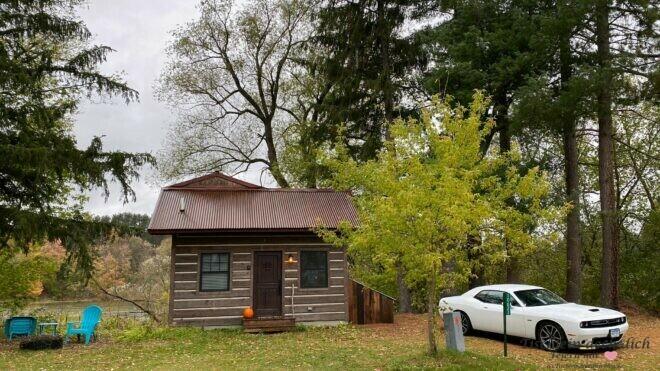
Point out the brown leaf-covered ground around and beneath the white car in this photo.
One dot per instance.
(632, 355)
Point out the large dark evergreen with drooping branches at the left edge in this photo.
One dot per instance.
(46, 66)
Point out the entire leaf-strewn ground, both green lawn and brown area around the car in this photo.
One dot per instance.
(398, 346)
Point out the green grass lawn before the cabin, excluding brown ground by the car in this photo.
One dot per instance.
(344, 347)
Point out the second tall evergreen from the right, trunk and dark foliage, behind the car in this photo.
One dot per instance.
(555, 101)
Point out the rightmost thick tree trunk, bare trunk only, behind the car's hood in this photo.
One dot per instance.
(609, 271)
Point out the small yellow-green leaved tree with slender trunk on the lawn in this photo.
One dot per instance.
(431, 196)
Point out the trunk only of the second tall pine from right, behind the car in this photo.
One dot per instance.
(573, 248)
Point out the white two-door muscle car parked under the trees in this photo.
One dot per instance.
(538, 314)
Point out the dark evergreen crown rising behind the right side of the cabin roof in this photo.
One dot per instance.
(368, 60)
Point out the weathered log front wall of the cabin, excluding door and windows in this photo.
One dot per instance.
(189, 306)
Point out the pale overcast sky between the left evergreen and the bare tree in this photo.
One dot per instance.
(139, 31)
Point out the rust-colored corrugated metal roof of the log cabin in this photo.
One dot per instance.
(222, 208)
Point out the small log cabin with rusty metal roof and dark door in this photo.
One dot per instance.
(238, 245)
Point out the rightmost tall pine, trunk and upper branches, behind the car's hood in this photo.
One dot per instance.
(625, 35)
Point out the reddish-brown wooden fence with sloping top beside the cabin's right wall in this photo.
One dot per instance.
(366, 305)
